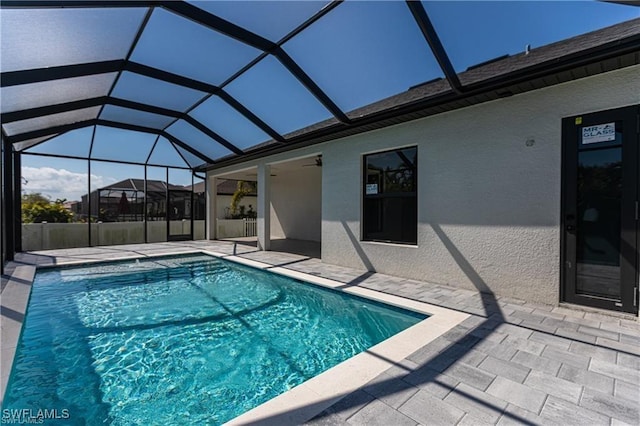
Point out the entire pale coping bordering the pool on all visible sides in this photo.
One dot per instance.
(302, 402)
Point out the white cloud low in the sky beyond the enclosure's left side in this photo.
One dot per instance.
(59, 183)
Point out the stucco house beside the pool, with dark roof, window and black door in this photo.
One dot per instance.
(482, 188)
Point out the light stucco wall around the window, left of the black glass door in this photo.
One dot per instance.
(488, 204)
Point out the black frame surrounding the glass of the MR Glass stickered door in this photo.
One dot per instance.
(629, 232)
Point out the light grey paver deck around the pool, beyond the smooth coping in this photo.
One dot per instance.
(510, 362)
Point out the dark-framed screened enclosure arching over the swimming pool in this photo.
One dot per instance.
(167, 90)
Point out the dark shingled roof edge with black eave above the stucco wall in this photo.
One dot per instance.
(604, 50)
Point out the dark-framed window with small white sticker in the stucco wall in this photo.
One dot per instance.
(390, 209)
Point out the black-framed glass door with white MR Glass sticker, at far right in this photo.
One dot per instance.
(600, 209)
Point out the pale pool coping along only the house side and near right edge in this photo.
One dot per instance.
(310, 398)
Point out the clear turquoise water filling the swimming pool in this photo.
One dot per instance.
(188, 340)
